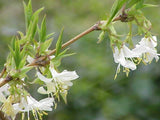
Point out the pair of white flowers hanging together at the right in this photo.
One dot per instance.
(144, 50)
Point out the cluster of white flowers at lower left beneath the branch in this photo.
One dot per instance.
(24, 102)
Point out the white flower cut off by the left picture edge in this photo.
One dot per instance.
(3, 92)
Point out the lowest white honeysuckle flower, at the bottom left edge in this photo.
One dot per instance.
(37, 107)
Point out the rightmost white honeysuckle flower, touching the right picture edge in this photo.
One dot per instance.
(146, 49)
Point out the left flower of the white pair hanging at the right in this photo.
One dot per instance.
(123, 57)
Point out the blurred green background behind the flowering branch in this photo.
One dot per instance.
(95, 95)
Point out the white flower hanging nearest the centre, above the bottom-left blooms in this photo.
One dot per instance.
(63, 79)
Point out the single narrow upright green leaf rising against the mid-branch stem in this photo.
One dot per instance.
(59, 43)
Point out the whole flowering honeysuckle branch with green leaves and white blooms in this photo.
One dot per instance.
(27, 53)
